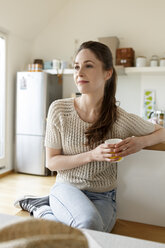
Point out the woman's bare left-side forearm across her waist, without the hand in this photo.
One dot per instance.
(66, 162)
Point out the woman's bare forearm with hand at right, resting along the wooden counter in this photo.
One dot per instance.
(134, 144)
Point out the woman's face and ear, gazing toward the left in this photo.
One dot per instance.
(89, 75)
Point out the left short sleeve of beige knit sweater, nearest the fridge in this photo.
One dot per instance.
(53, 133)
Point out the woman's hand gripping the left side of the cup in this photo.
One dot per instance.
(103, 152)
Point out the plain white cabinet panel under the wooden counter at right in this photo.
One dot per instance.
(141, 186)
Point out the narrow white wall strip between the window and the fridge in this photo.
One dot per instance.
(18, 56)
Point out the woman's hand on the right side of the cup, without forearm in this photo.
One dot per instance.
(128, 146)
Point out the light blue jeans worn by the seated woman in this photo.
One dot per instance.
(81, 208)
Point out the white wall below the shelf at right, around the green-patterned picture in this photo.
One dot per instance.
(130, 91)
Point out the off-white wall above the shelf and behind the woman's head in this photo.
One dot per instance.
(138, 24)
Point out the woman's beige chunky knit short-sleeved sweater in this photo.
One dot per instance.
(65, 130)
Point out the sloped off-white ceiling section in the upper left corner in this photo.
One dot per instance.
(26, 18)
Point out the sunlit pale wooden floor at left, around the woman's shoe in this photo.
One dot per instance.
(15, 185)
